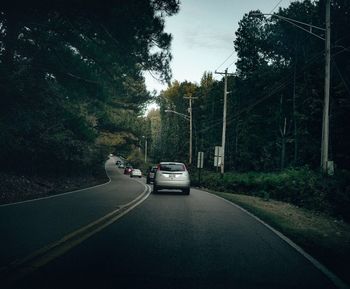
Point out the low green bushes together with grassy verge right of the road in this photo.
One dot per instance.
(307, 207)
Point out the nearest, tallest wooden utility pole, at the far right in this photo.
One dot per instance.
(325, 122)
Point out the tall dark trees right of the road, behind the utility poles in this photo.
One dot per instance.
(274, 117)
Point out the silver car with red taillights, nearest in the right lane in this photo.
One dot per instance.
(171, 175)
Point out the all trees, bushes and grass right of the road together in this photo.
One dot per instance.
(273, 128)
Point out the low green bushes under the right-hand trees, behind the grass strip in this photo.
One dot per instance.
(302, 187)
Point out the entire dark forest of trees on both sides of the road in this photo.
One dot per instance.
(73, 88)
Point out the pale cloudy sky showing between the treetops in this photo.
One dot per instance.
(203, 34)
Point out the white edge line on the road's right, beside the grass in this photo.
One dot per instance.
(335, 279)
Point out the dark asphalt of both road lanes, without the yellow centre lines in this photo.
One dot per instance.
(168, 241)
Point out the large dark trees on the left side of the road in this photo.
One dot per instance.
(71, 82)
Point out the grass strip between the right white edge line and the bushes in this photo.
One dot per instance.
(325, 238)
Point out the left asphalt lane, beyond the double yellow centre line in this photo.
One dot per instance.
(28, 226)
